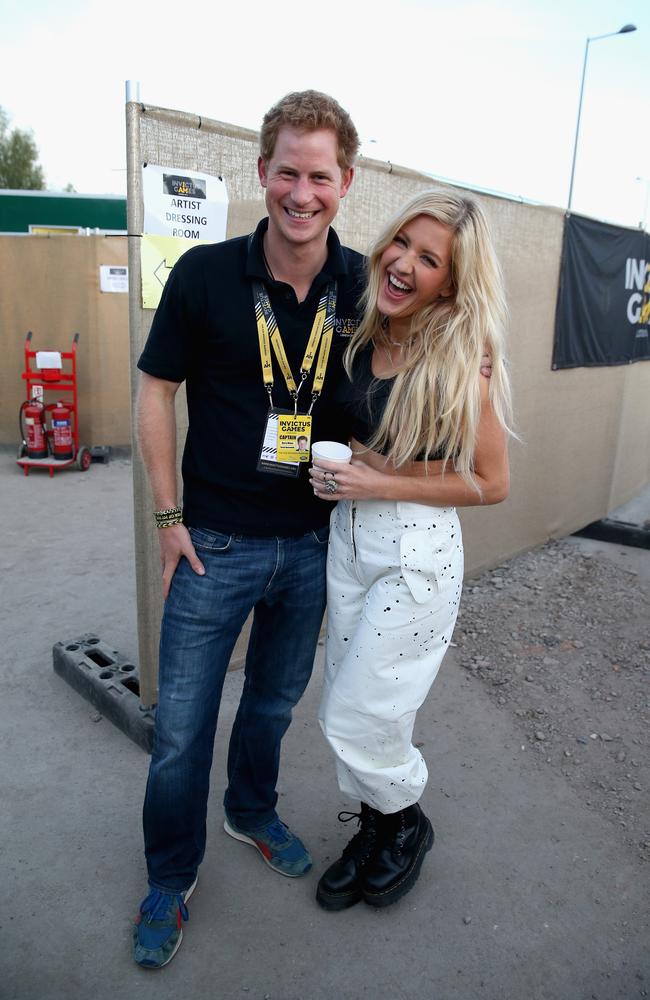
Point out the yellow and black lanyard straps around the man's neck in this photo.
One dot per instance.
(320, 340)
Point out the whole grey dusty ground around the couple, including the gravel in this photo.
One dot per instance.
(529, 893)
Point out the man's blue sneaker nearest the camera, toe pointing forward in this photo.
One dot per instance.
(158, 931)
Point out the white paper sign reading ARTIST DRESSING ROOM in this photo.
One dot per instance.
(184, 204)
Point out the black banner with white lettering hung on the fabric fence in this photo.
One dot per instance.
(603, 306)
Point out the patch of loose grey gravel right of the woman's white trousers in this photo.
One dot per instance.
(560, 640)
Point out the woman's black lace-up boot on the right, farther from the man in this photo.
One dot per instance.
(403, 838)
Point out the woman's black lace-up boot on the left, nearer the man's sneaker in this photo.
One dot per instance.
(340, 886)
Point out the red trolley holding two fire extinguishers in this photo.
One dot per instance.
(57, 445)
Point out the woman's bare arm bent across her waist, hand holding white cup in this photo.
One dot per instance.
(372, 478)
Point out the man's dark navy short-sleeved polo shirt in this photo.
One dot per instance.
(204, 333)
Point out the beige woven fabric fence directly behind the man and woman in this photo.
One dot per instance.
(584, 433)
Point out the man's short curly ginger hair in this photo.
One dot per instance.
(310, 110)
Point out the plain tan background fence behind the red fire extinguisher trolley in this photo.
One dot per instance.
(50, 285)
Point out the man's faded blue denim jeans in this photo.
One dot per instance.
(283, 581)
